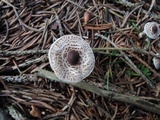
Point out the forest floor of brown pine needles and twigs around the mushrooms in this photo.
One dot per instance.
(124, 84)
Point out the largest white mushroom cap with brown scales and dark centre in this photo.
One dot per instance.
(71, 58)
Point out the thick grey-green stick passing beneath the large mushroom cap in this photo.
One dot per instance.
(134, 100)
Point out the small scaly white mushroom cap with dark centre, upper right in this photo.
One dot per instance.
(152, 30)
